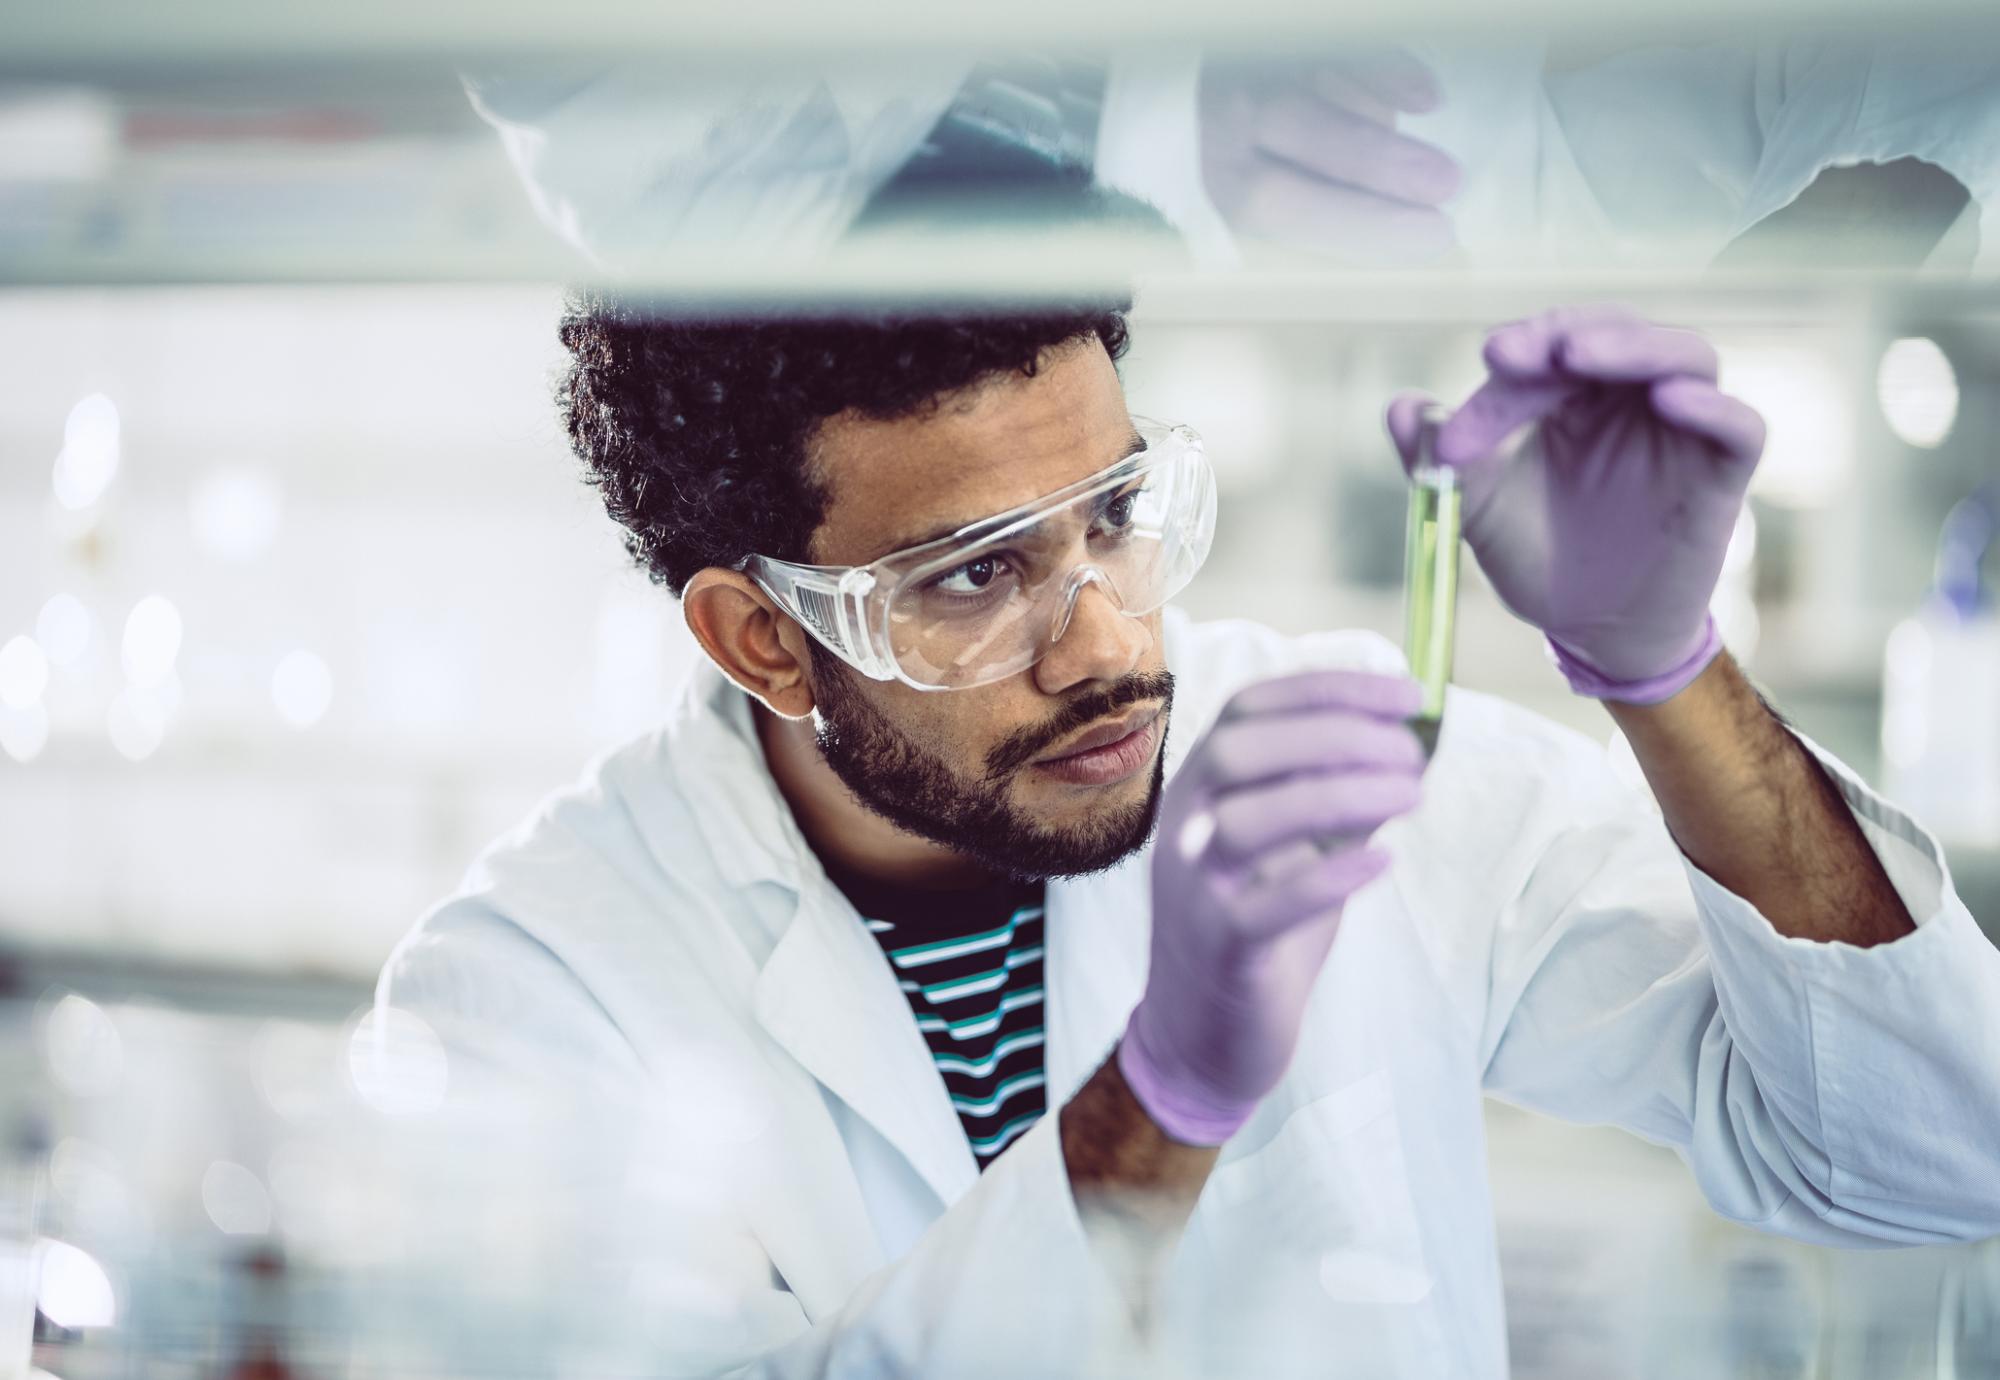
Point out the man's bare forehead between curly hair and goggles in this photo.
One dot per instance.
(985, 451)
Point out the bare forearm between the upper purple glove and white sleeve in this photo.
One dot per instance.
(1755, 811)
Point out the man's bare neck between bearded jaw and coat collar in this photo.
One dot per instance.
(839, 827)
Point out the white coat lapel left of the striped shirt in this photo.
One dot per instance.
(829, 997)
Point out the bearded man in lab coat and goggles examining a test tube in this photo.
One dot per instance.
(975, 917)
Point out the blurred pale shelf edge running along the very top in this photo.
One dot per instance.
(209, 31)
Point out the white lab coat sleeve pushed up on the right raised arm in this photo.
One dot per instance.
(1821, 1091)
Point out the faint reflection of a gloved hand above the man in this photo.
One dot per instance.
(1309, 155)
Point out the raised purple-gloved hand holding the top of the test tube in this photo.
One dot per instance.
(1607, 525)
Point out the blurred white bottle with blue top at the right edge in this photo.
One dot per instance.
(1941, 689)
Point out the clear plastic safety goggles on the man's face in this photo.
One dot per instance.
(991, 599)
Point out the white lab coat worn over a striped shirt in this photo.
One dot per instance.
(665, 929)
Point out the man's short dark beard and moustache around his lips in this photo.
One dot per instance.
(913, 789)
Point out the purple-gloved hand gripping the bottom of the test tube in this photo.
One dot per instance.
(1245, 903)
